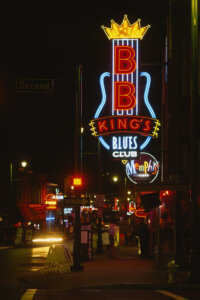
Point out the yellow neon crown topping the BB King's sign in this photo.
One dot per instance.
(125, 30)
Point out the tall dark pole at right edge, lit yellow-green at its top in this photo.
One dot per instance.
(194, 274)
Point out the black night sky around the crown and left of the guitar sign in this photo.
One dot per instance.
(50, 42)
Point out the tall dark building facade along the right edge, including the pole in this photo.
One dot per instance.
(180, 133)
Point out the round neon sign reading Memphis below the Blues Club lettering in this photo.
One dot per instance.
(143, 169)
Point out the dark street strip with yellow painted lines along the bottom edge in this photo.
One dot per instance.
(99, 294)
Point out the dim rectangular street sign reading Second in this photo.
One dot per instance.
(34, 85)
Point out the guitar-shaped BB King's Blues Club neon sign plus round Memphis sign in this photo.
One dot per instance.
(118, 122)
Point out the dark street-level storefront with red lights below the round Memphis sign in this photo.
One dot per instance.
(168, 223)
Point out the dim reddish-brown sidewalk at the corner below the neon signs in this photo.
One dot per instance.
(126, 270)
